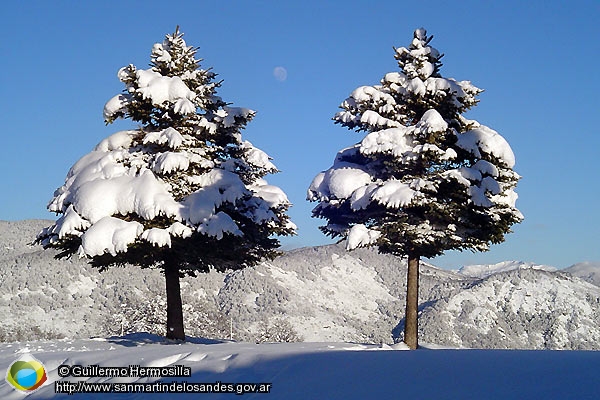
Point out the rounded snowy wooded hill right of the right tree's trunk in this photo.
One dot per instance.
(522, 308)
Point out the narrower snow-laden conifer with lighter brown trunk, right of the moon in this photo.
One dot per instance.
(424, 179)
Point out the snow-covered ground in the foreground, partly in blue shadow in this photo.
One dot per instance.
(319, 370)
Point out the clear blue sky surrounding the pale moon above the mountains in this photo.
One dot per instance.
(536, 60)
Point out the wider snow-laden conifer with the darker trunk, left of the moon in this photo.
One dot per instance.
(183, 192)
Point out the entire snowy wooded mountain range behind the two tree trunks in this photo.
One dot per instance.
(312, 294)
